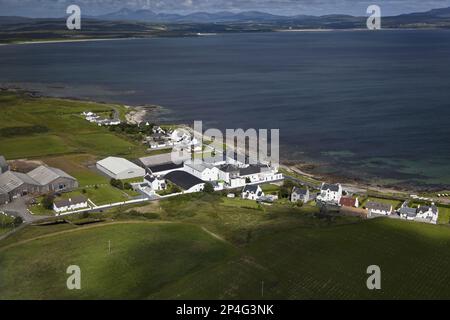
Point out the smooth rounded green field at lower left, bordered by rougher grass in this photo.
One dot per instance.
(145, 258)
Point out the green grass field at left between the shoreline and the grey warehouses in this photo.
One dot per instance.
(60, 119)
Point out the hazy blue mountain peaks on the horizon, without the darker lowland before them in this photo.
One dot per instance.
(435, 17)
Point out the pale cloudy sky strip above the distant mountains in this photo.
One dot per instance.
(57, 8)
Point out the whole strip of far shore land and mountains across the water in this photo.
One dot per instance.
(127, 23)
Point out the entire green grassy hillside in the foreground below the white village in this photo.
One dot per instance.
(208, 247)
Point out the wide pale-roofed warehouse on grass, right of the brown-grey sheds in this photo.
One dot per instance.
(120, 168)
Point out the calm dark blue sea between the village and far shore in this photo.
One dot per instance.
(372, 105)
